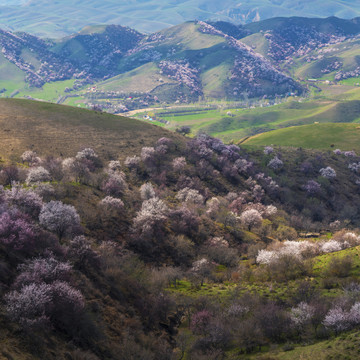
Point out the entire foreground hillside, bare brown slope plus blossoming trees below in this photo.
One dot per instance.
(203, 250)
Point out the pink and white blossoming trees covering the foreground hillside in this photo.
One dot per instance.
(77, 229)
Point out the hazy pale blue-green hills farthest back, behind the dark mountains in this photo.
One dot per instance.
(51, 19)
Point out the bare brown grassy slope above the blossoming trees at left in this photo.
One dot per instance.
(57, 129)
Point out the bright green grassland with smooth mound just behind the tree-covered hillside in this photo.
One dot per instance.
(246, 122)
